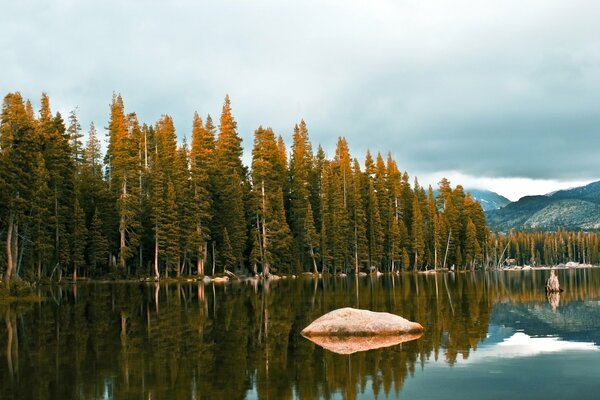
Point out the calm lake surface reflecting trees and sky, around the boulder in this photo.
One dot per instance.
(488, 335)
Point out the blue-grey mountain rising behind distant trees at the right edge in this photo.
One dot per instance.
(577, 208)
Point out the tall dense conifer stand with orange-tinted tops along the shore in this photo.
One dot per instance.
(151, 206)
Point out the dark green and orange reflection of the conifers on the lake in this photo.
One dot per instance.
(228, 341)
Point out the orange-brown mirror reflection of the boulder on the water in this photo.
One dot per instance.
(354, 344)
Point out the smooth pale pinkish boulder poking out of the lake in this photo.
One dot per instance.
(354, 322)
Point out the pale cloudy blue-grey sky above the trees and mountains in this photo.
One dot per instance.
(501, 95)
